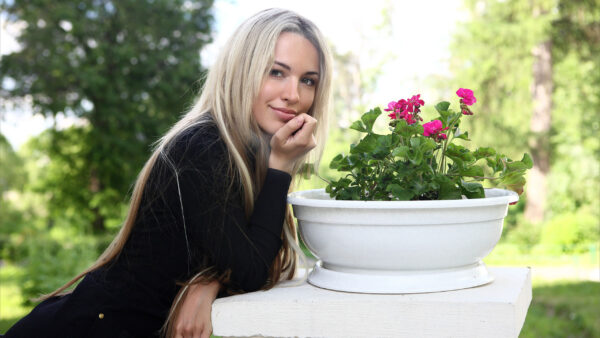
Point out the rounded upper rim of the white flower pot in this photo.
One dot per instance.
(494, 196)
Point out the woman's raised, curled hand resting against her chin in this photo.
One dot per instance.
(292, 141)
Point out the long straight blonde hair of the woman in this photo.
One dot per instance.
(229, 91)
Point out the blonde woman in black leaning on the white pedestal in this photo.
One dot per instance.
(208, 213)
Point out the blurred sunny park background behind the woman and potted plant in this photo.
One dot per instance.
(87, 86)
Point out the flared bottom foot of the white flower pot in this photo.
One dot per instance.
(398, 282)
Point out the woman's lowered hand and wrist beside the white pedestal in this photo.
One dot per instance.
(194, 318)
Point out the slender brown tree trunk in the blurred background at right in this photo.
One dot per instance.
(539, 141)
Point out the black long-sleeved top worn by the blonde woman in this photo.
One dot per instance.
(175, 236)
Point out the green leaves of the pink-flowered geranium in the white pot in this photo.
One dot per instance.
(407, 165)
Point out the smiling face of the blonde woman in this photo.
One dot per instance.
(289, 88)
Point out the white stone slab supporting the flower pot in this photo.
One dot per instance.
(494, 310)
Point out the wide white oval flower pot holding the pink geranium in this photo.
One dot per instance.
(400, 246)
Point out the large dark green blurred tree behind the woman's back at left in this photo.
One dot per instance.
(127, 69)
